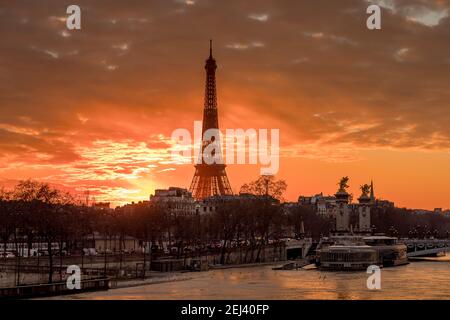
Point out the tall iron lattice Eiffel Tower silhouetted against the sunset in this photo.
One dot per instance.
(210, 179)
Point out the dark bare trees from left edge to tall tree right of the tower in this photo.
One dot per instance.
(35, 212)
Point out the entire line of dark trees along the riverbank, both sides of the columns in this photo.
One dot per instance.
(36, 212)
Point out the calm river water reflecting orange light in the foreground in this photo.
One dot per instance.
(418, 280)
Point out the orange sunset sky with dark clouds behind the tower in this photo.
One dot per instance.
(94, 109)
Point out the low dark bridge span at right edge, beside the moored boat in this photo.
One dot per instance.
(425, 247)
